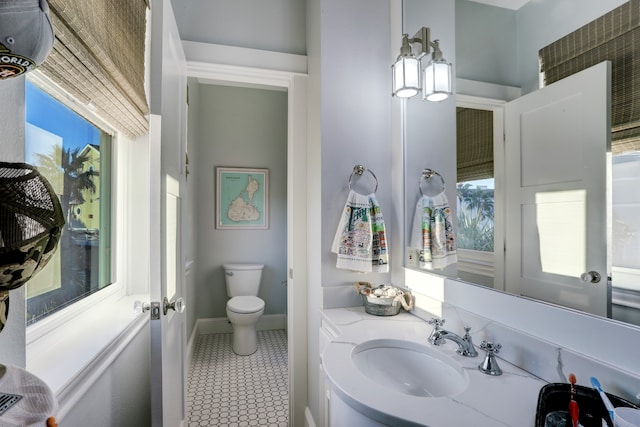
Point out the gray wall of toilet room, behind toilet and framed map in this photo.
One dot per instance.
(238, 127)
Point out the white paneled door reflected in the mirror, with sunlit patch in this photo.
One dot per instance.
(557, 143)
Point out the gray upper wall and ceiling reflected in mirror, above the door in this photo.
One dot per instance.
(500, 46)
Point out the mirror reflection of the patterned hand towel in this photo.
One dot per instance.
(432, 235)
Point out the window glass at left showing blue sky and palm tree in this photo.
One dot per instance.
(76, 158)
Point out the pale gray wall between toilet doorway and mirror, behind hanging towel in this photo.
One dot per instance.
(349, 62)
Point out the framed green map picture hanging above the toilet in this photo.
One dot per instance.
(242, 198)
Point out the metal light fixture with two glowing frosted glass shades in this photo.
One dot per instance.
(409, 75)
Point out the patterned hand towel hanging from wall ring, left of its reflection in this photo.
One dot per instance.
(360, 240)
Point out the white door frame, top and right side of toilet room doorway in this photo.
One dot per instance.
(232, 66)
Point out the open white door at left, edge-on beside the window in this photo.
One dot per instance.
(168, 147)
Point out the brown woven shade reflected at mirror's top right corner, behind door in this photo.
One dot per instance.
(614, 36)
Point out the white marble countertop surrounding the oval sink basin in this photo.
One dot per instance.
(506, 400)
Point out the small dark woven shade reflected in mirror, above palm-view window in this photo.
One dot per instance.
(474, 144)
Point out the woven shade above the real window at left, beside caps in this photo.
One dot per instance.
(98, 57)
